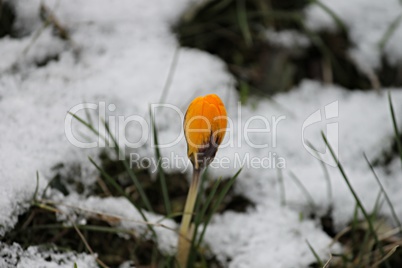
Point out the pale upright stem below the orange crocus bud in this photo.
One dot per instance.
(185, 234)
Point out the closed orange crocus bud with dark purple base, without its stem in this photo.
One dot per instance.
(204, 127)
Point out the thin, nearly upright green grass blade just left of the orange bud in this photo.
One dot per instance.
(161, 173)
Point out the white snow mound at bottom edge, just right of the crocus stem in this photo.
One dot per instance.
(273, 229)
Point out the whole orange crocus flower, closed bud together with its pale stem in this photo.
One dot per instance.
(204, 127)
